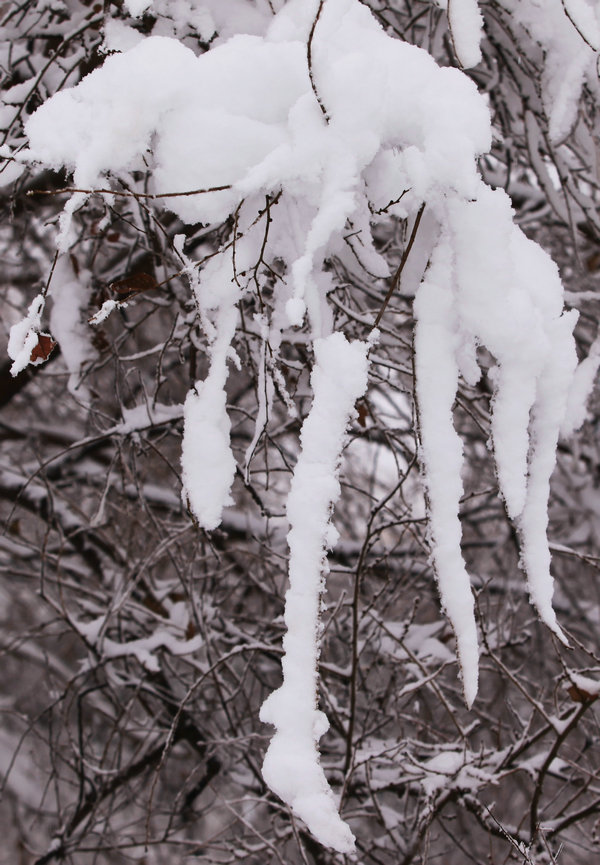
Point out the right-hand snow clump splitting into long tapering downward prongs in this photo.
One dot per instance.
(489, 285)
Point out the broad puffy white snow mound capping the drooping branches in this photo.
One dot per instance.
(210, 123)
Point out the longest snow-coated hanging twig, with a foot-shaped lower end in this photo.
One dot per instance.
(291, 767)
